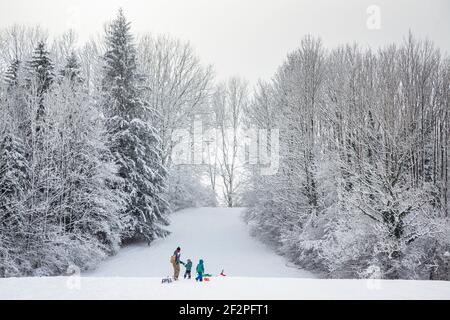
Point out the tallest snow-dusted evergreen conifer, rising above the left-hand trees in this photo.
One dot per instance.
(133, 140)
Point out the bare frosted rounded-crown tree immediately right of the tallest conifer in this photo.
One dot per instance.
(177, 84)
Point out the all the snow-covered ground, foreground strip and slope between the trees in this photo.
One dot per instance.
(218, 236)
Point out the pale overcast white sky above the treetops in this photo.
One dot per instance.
(249, 38)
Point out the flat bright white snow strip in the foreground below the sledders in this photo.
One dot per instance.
(234, 288)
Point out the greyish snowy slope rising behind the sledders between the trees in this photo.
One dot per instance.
(216, 235)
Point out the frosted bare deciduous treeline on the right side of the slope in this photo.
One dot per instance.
(363, 188)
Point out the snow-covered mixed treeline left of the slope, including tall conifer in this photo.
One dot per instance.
(85, 144)
